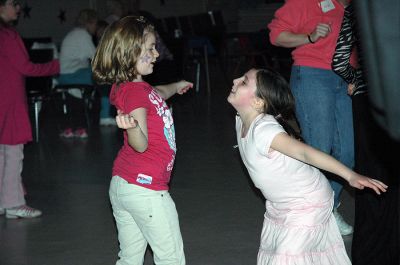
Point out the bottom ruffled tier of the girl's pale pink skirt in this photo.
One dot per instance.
(300, 245)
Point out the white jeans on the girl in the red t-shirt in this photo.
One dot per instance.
(145, 216)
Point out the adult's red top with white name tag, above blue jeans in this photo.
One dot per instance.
(302, 17)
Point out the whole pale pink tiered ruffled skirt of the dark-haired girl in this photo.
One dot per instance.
(299, 241)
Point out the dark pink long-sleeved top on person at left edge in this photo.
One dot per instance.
(15, 127)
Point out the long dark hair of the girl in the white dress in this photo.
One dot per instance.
(279, 102)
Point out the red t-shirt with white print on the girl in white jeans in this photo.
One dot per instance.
(152, 168)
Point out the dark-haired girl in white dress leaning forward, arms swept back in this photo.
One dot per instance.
(299, 227)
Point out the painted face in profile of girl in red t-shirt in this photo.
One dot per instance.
(148, 56)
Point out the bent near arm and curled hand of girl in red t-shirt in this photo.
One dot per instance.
(135, 124)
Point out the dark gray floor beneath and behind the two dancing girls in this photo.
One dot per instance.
(220, 211)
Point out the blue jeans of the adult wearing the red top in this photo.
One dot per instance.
(324, 113)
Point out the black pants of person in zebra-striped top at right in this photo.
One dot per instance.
(376, 225)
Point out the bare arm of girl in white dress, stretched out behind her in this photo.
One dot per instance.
(291, 147)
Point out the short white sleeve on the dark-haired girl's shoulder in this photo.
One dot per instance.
(264, 133)
